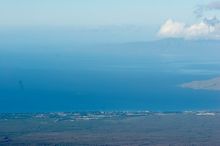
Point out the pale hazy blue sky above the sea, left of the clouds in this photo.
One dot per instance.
(140, 19)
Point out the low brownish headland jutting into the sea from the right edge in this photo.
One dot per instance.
(211, 84)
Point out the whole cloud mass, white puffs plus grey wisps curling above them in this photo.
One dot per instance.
(207, 28)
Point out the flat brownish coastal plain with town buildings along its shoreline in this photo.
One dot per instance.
(111, 129)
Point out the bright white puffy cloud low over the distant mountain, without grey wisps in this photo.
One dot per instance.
(204, 30)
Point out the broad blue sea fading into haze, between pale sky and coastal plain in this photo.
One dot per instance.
(43, 76)
